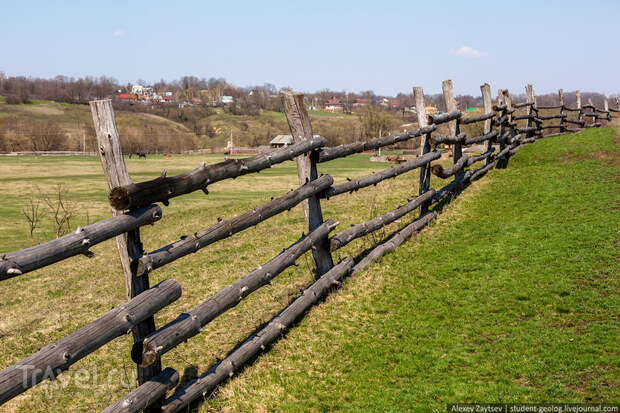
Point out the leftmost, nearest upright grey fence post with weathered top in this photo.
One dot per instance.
(128, 245)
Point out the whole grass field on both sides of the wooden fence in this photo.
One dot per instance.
(512, 295)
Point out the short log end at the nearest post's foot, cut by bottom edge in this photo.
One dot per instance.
(146, 394)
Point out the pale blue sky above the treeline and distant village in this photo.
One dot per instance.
(386, 46)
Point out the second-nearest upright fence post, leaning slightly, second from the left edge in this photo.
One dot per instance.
(299, 124)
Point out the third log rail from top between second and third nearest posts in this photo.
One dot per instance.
(356, 231)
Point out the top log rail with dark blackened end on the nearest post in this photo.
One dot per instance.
(163, 188)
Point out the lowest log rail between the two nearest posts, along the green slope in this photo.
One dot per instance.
(202, 386)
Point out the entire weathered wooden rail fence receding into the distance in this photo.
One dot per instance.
(507, 127)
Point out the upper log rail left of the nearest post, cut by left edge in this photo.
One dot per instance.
(75, 243)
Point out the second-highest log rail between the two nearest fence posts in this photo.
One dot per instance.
(227, 228)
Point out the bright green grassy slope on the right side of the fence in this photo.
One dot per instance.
(511, 296)
